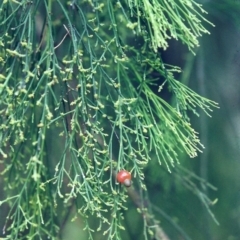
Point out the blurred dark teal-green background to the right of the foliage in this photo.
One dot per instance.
(215, 73)
